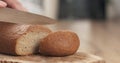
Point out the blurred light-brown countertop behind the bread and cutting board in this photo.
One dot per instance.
(98, 38)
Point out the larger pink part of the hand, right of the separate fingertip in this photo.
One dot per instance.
(15, 4)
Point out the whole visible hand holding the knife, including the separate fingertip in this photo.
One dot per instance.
(15, 4)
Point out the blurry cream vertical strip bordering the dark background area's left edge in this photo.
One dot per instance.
(51, 8)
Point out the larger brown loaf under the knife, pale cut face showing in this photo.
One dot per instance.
(21, 39)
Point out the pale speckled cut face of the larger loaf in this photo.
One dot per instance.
(29, 43)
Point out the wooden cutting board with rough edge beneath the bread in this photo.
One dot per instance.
(79, 57)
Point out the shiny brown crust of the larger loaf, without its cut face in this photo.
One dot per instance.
(10, 32)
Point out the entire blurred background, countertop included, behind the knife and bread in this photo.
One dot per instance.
(95, 21)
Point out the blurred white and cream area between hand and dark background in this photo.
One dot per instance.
(49, 7)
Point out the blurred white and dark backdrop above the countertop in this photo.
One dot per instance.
(74, 9)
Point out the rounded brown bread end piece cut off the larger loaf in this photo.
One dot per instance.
(60, 43)
